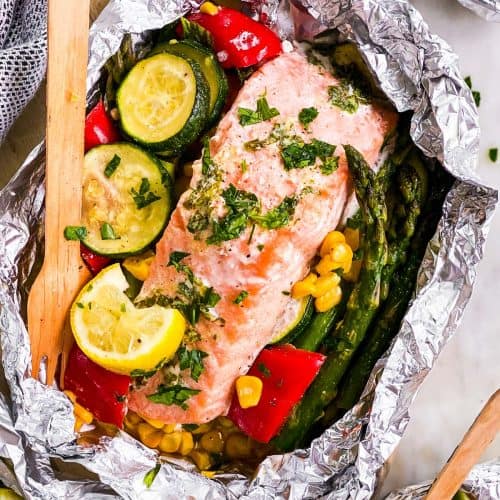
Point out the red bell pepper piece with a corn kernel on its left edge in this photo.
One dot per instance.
(286, 373)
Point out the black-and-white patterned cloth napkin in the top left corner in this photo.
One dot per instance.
(23, 56)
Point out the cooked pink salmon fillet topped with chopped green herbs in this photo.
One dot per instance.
(262, 262)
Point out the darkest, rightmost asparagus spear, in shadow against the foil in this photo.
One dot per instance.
(389, 320)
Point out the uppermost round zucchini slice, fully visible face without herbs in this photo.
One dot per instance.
(164, 102)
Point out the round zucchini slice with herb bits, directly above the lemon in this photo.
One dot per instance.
(126, 207)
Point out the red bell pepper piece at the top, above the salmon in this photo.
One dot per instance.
(239, 41)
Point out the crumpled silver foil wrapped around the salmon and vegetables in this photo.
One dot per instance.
(418, 71)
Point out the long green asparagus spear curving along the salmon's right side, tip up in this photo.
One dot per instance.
(361, 308)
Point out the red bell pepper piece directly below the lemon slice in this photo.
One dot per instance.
(103, 393)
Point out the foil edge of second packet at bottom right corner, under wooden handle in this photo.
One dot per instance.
(483, 482)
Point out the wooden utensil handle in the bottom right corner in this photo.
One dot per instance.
(478, 437)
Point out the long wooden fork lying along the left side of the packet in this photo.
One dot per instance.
(63, 273)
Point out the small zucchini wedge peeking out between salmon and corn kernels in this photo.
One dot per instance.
(296, 318)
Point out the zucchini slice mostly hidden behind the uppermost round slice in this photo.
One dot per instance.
(211, 68)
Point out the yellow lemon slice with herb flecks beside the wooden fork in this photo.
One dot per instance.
(115, 334)
